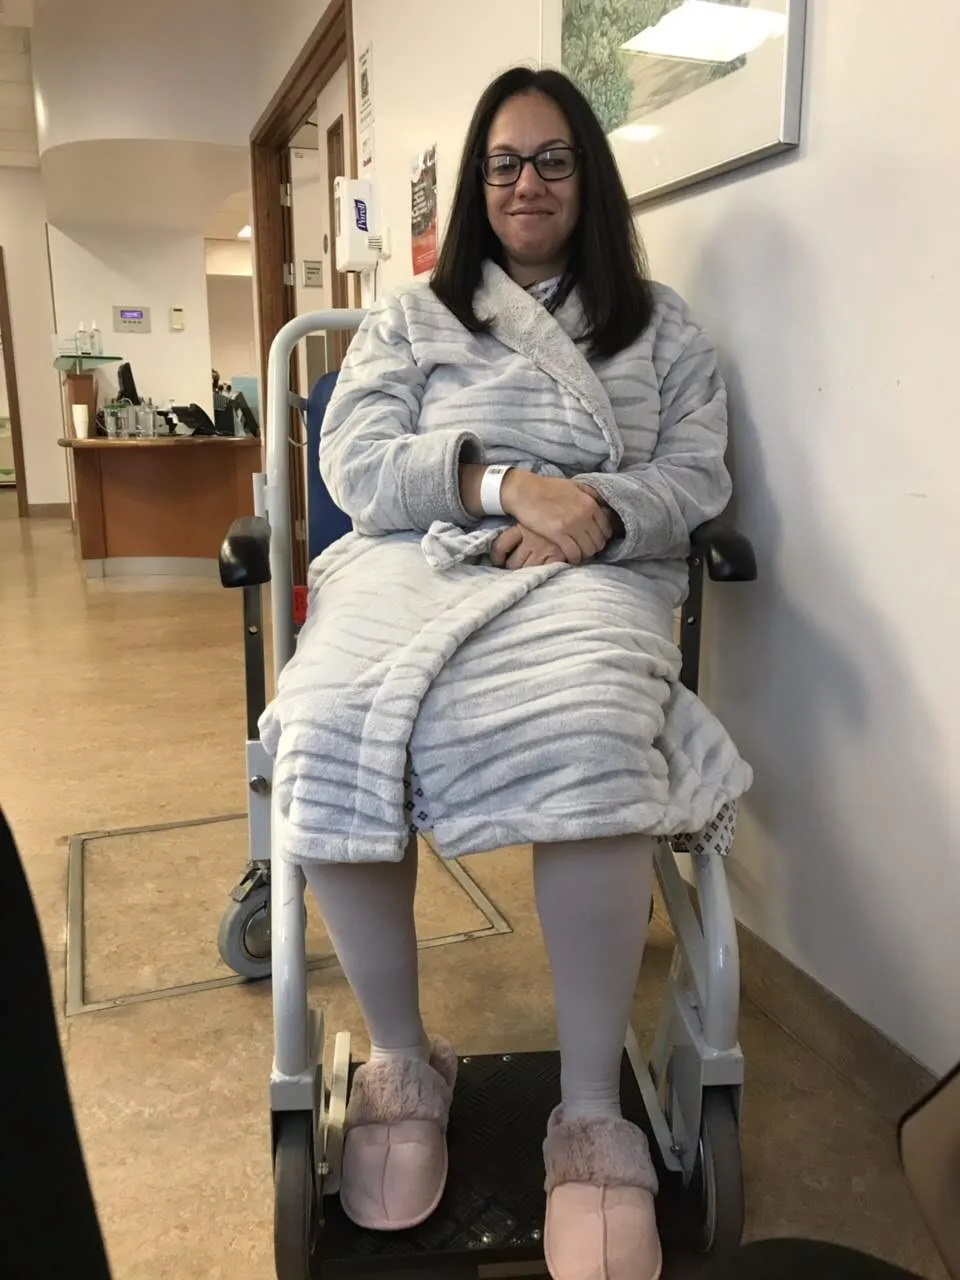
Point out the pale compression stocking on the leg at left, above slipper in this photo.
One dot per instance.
(368, 909)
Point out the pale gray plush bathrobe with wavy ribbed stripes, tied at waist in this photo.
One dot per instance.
(540, 705)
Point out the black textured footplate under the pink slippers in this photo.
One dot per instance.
(493, 1209)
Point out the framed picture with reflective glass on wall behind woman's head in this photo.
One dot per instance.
(685, 89)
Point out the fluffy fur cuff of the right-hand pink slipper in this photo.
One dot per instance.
(600, 1151)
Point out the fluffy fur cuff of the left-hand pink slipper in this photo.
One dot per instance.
(388, 1092)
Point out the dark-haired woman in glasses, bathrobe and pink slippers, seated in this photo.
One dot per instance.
(524, 450)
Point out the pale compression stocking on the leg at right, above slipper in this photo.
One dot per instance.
(595, 902)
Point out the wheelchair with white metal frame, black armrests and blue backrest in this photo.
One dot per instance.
(687, 1095)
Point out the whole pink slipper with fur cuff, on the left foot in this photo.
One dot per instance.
(395, 1153)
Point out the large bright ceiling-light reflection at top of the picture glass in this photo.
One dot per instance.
(705, 31)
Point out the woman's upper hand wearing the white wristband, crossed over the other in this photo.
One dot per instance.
(560, 511)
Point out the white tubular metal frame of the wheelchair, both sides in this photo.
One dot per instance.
(696, 1046)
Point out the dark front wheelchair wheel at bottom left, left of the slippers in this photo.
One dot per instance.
(296, 1197)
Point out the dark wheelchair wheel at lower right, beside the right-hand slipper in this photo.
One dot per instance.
(716, 1192)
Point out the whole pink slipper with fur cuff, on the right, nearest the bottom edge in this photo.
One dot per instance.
(601, 1183)
